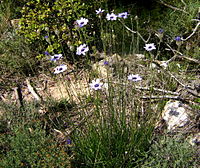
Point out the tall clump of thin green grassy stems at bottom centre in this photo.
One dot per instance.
(115, 134)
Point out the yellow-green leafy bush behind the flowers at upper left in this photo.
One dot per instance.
(56, 20)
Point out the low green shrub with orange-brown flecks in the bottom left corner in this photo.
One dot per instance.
(29, 147)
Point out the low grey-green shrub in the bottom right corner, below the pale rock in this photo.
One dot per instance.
(171, 152)
